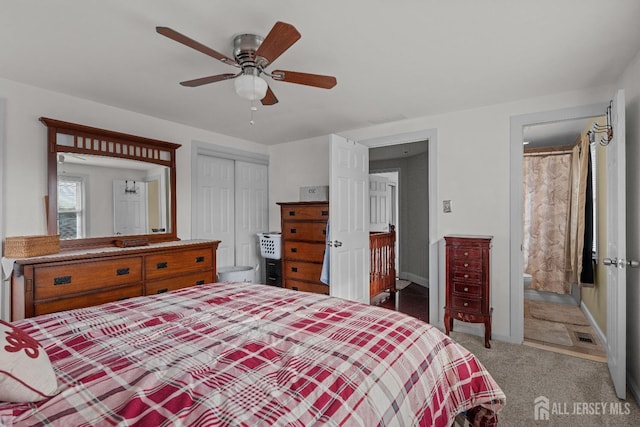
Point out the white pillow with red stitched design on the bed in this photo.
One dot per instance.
(26, 374)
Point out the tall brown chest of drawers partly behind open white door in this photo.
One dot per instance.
(304, 233)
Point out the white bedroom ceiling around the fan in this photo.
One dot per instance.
(393, 60)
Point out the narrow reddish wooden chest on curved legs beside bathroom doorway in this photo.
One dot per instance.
(468, 282)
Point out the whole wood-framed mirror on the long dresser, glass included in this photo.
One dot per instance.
(106, 187)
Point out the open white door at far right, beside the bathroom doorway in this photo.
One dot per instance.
(616, 248)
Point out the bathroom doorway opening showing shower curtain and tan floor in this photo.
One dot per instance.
(560, 236)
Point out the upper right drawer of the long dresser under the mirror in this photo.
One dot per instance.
(176, 262)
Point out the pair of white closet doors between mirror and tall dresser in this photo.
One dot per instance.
(231, 206)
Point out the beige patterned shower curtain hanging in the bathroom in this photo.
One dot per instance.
(554, 206)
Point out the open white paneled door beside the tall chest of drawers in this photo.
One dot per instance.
(349, 220)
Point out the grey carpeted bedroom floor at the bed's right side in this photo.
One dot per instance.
(574, 387)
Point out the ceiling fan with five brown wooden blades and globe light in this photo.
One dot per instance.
(252, 55)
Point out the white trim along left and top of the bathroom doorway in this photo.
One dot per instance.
(517, 125)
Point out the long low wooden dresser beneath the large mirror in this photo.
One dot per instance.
(66, 281)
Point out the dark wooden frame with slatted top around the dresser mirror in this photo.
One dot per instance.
(90, 140)
